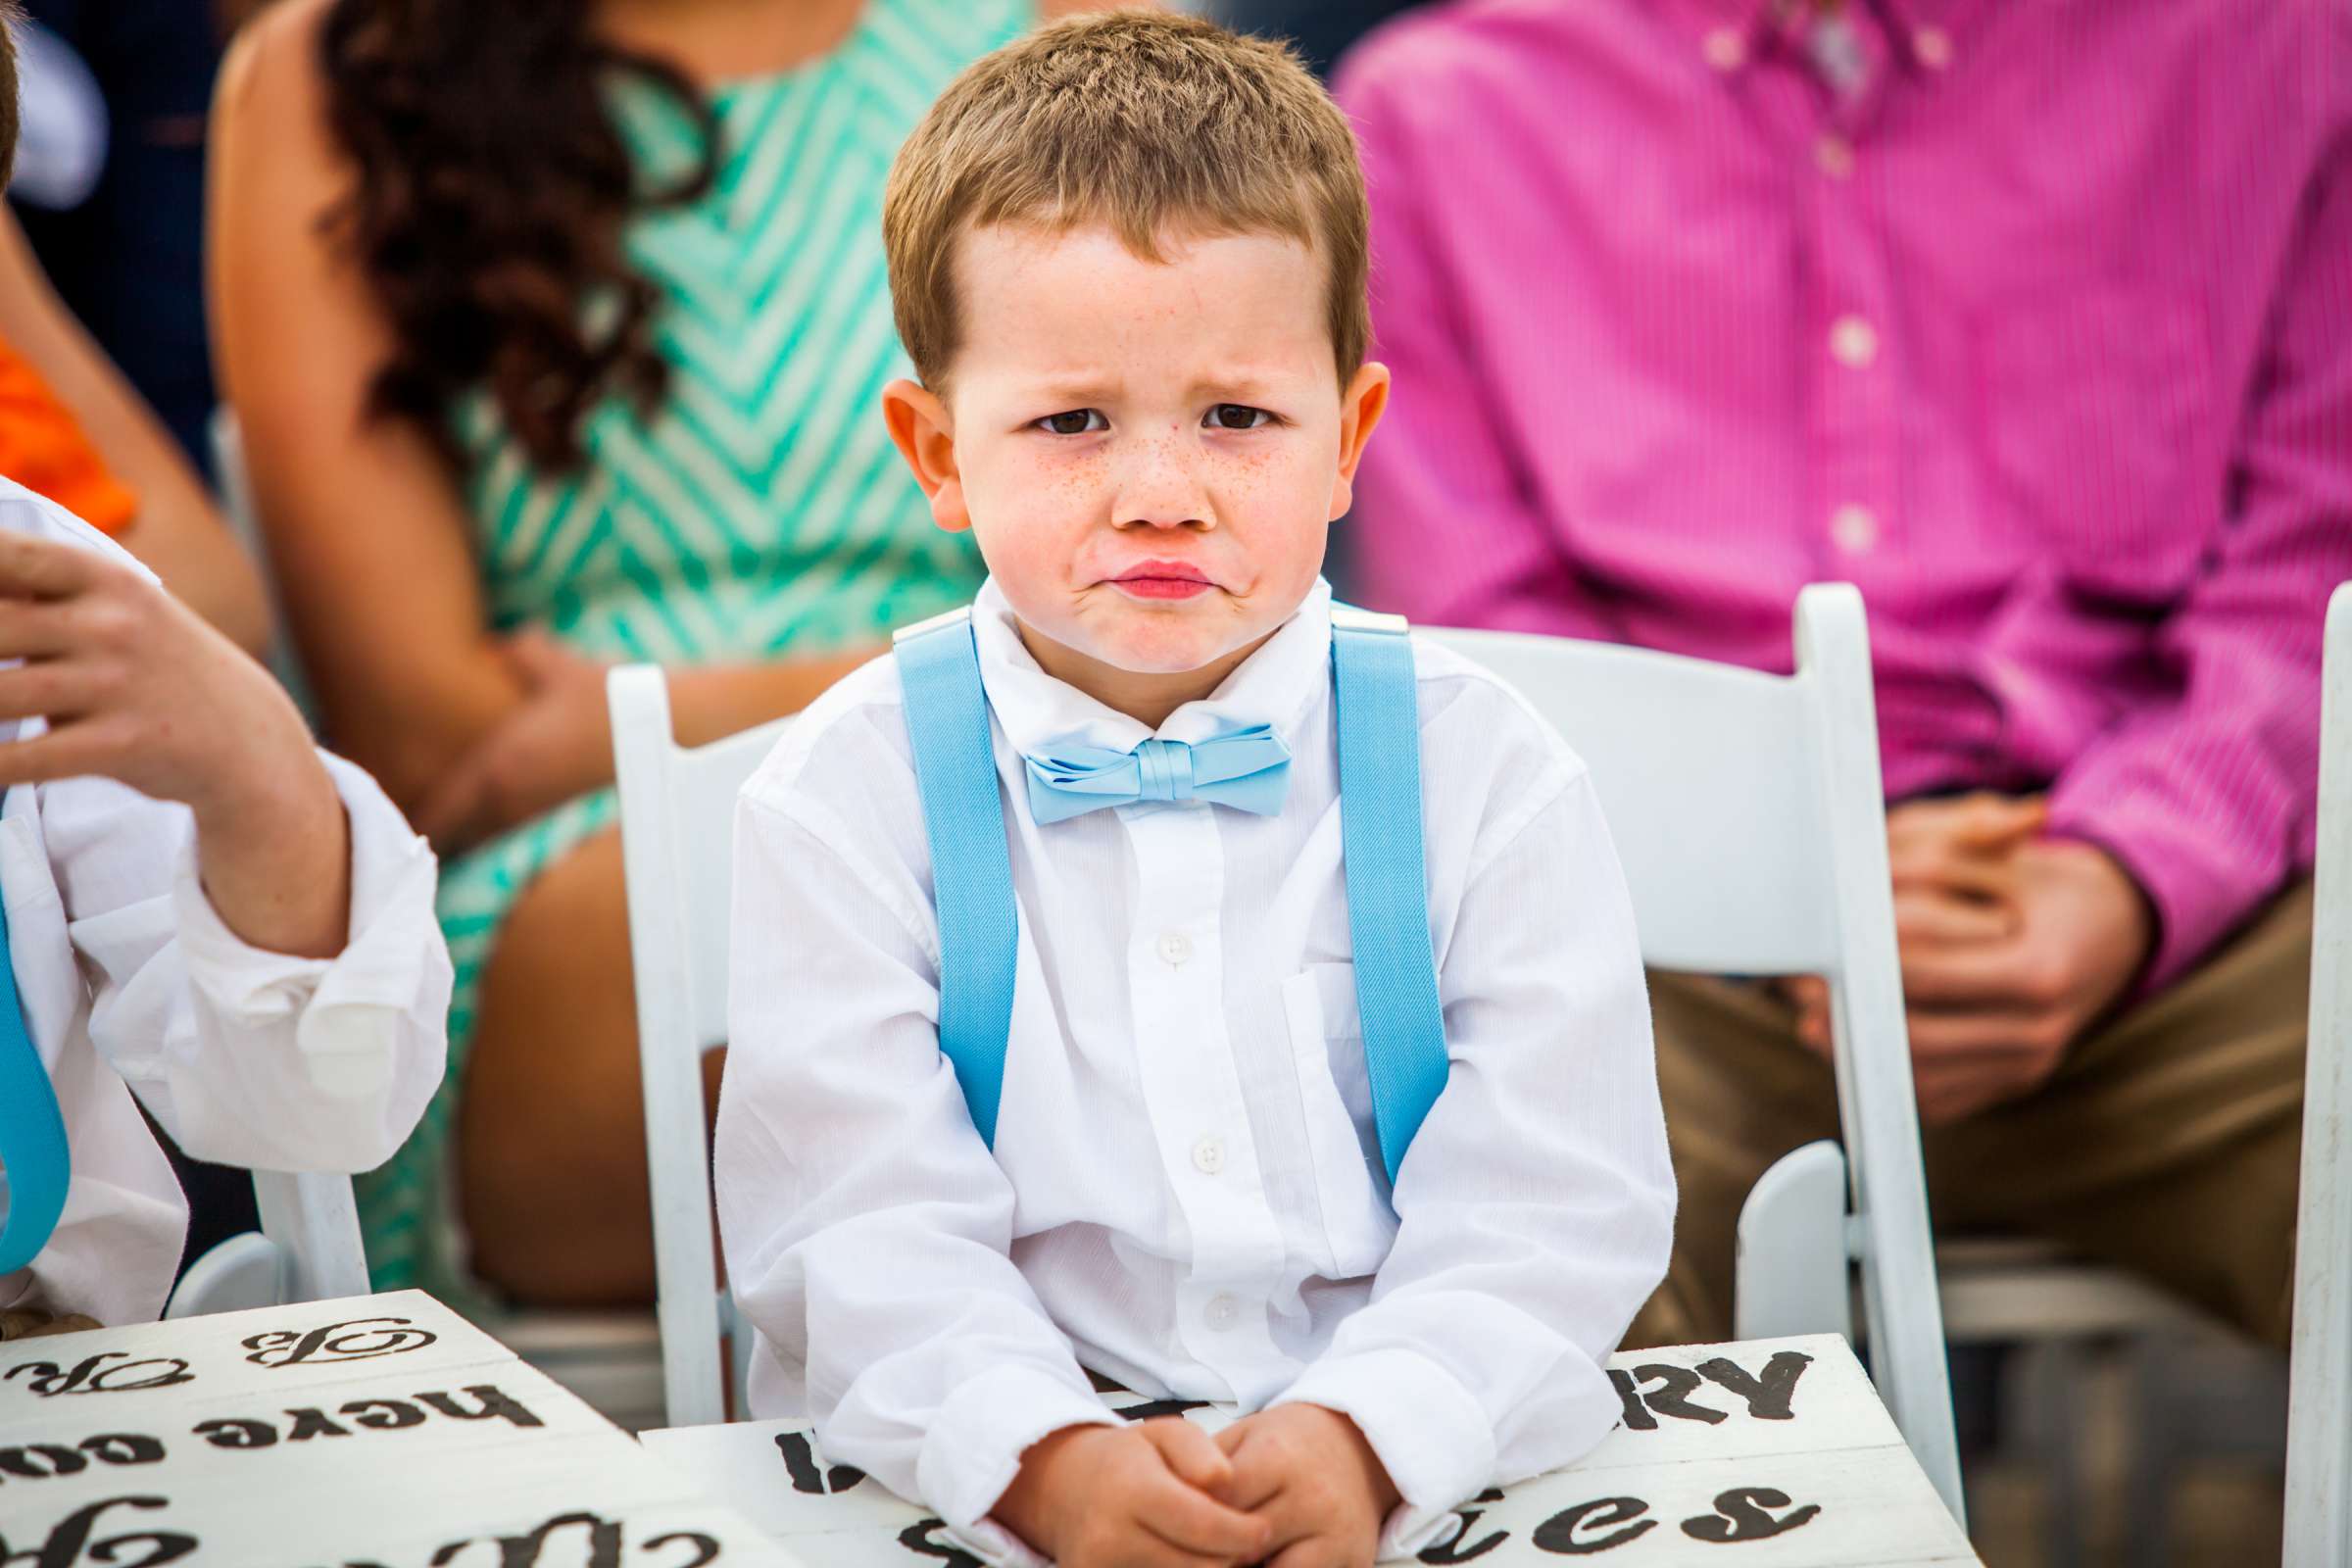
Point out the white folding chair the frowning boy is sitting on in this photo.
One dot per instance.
(1751, 822)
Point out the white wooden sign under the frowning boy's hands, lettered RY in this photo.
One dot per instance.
(1772, 1447)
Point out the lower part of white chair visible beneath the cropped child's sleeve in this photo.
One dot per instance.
(307, 1252)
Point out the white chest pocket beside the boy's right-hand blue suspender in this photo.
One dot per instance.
(1335, 1094)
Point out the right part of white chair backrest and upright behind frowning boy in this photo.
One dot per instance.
(1751, 819)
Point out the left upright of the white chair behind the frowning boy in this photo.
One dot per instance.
(676, 855)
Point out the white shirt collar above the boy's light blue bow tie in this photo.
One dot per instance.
(1278, 685)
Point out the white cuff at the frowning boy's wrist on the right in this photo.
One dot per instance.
(1429, 1430)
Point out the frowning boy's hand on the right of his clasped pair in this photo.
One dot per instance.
(1314, 1480)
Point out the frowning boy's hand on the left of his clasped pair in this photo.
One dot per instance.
(1130, 1499)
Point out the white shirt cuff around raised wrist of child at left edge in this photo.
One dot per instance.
(352, 1005)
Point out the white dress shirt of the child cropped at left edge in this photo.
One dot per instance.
(131, 981)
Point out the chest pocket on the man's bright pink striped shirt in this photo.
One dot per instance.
(2097, 413)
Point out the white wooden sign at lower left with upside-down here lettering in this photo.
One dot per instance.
(368, 1433)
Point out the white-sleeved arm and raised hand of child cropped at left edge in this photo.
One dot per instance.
(258, 925)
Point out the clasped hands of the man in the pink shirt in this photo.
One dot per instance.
(2014, 946)
